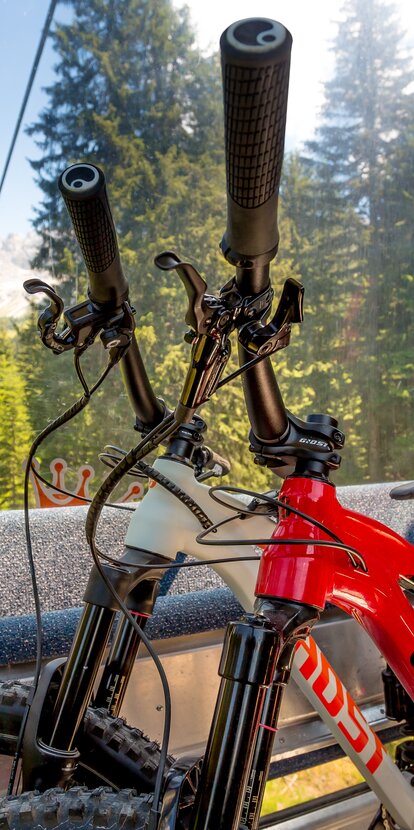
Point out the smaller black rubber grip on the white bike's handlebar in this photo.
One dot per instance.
(84, 192)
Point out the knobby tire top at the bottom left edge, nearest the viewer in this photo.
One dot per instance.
(75, 809)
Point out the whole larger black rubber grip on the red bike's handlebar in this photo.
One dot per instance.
(255, 55)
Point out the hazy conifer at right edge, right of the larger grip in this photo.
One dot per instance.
(355, 154)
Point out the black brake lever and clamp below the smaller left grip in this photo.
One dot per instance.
(84, 322)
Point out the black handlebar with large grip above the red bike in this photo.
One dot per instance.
(255, 56)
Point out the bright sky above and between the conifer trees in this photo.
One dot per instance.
(312, 24)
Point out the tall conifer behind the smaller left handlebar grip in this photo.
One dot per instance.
(134, 96)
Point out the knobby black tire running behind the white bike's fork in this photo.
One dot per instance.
(111, 751)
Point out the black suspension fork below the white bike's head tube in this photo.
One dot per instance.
(50, 751)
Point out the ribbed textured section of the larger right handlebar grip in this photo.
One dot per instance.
(255, 102)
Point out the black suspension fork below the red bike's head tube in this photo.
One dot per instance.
(256, 654)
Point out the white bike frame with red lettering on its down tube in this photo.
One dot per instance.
(164, 525)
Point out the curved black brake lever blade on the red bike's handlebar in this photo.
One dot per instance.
(198, 314)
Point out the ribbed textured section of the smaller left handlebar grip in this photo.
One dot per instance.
(94, 233)
